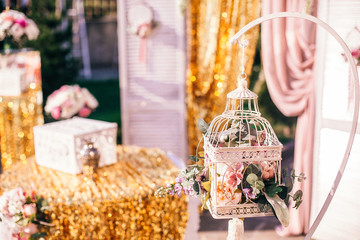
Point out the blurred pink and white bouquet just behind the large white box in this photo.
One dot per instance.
(70, 100)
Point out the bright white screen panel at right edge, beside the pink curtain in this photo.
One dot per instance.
(333, 122)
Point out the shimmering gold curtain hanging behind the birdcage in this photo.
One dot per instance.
(213, 62)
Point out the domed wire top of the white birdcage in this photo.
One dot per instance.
(241, 124)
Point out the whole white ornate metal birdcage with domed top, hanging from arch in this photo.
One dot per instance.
(237, 139)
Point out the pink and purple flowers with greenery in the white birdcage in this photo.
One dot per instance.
(243, 183)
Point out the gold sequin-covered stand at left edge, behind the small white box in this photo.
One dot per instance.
(19, 114)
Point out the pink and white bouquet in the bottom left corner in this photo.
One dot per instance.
(23, 216)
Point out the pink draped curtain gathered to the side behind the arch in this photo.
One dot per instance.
(288, 49)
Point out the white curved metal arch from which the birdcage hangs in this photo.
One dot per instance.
(355, 78)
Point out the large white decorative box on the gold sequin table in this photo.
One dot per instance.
(58, 144)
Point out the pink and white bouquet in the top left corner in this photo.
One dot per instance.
(15, 26)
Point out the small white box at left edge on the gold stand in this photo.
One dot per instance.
(12, 81)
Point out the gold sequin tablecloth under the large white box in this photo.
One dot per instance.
(119, 204)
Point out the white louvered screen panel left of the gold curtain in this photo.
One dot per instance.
(153, 91)
